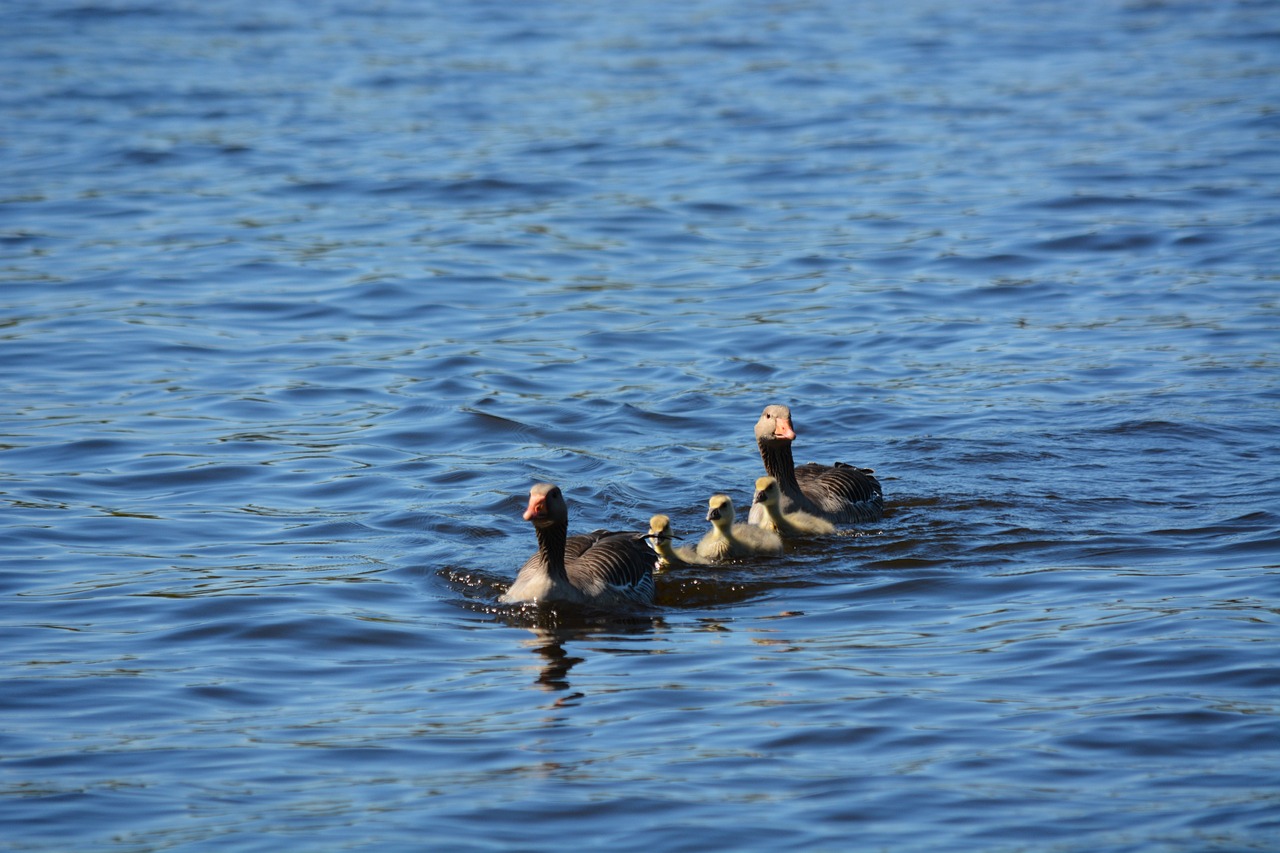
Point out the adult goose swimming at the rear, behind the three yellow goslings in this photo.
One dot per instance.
(840, 494)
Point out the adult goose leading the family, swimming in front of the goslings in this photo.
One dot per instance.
(600, 568)
